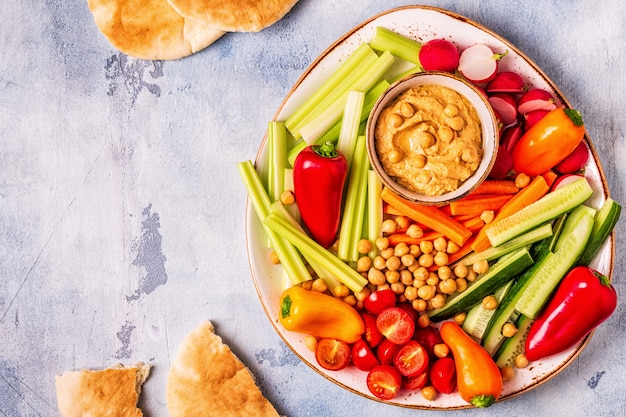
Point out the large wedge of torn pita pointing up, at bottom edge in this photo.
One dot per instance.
(206, 379)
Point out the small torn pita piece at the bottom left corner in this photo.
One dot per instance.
(101, 393)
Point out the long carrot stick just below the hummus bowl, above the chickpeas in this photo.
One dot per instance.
(429, 216)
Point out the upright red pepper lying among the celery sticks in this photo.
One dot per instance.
(319, 175)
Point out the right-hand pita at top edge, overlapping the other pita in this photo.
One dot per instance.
(234, 15)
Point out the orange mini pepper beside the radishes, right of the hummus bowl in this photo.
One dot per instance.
(548, 142)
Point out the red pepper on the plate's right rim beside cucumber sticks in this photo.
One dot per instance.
(584, 299)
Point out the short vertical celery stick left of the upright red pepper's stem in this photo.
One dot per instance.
(277, 140)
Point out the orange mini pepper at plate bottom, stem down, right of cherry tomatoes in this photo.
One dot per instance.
(479, 380)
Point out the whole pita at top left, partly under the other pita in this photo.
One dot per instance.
(150, 29)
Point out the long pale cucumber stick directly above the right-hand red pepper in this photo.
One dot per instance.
(553, 268)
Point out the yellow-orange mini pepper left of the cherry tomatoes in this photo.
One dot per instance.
(320, 315)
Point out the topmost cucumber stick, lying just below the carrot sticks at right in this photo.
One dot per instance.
(548, 207)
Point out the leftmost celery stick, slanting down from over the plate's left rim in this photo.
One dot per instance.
(289, 257)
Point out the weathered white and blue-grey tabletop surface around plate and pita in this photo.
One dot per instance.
(122, 212)
